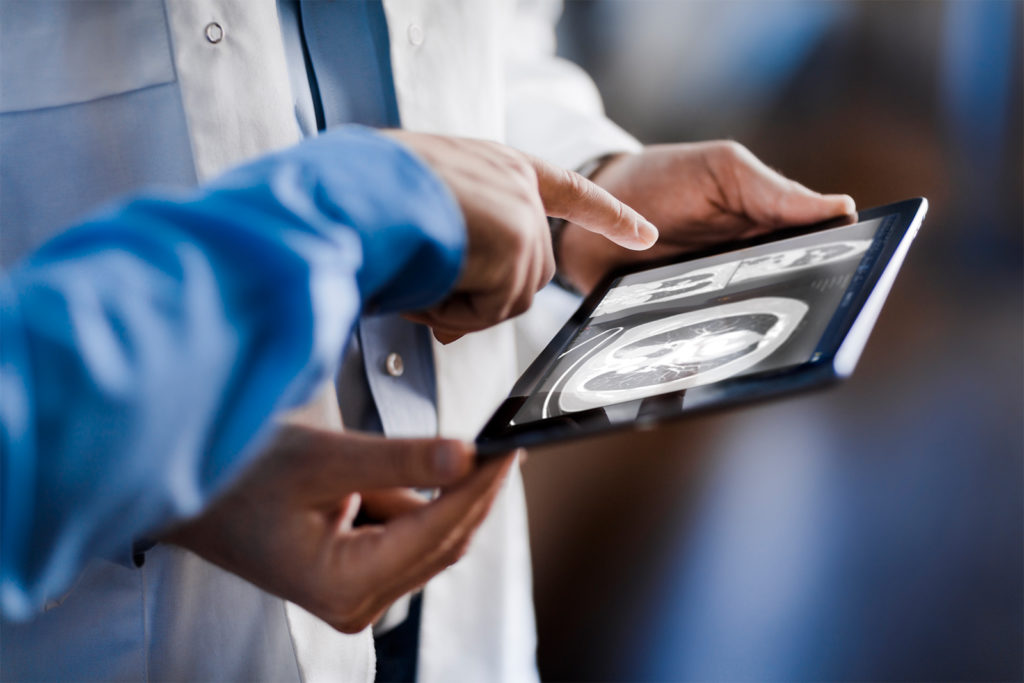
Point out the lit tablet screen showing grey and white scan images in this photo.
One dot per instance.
(689, 325)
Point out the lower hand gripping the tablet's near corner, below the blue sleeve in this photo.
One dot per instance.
(287, 525)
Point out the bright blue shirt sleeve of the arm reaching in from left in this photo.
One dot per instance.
(143, 353)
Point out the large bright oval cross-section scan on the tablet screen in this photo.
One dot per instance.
(681, 352)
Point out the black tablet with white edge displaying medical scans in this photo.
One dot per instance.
(749, 321)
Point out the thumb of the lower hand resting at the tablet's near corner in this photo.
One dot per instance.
(354, 462)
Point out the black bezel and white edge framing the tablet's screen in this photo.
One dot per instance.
(834, 358)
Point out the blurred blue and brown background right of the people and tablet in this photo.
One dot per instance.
(872, 532)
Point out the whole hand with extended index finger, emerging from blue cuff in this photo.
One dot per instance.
(506, 197)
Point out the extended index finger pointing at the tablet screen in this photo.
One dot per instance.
(569, 195)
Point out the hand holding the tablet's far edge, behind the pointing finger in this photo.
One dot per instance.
(699, 195)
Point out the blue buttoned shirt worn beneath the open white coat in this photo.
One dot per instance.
(340, 71)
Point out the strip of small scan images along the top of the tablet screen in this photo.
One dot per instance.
(712, 279)
